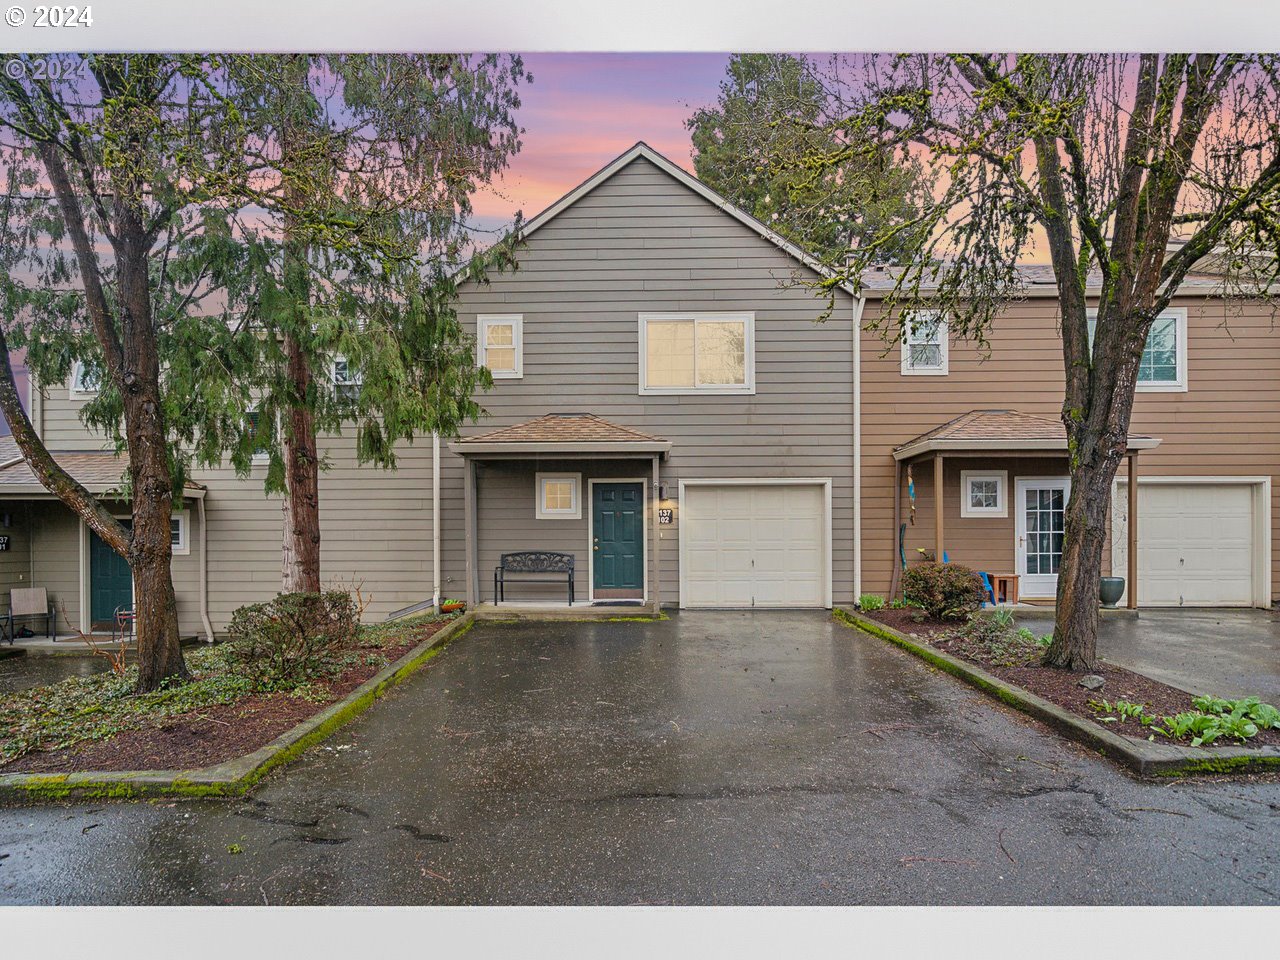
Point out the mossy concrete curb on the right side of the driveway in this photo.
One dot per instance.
(1140, 756)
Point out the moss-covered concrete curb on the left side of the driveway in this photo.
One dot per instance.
(231, 778)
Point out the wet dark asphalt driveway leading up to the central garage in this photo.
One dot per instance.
(712, 758)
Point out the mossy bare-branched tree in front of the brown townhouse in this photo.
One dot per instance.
(1133, 170)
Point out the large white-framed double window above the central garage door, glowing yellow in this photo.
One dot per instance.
(697, 354)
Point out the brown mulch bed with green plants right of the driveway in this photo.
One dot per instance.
(1063, 688)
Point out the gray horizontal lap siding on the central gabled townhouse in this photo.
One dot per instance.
(642, 243)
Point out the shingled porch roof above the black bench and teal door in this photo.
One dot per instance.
(563, 433)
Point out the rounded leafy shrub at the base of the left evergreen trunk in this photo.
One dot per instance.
(292, 639)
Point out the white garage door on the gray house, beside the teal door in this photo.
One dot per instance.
(755, 546)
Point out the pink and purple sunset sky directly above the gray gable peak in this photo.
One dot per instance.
(584, 109)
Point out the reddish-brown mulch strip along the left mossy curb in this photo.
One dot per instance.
(216, 734)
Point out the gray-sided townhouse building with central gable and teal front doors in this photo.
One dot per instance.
(666, 410)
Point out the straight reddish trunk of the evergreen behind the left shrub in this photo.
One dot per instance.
(301, 545)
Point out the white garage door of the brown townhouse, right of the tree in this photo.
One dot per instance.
(1195, 545)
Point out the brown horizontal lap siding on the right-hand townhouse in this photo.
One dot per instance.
(1224, 426)
